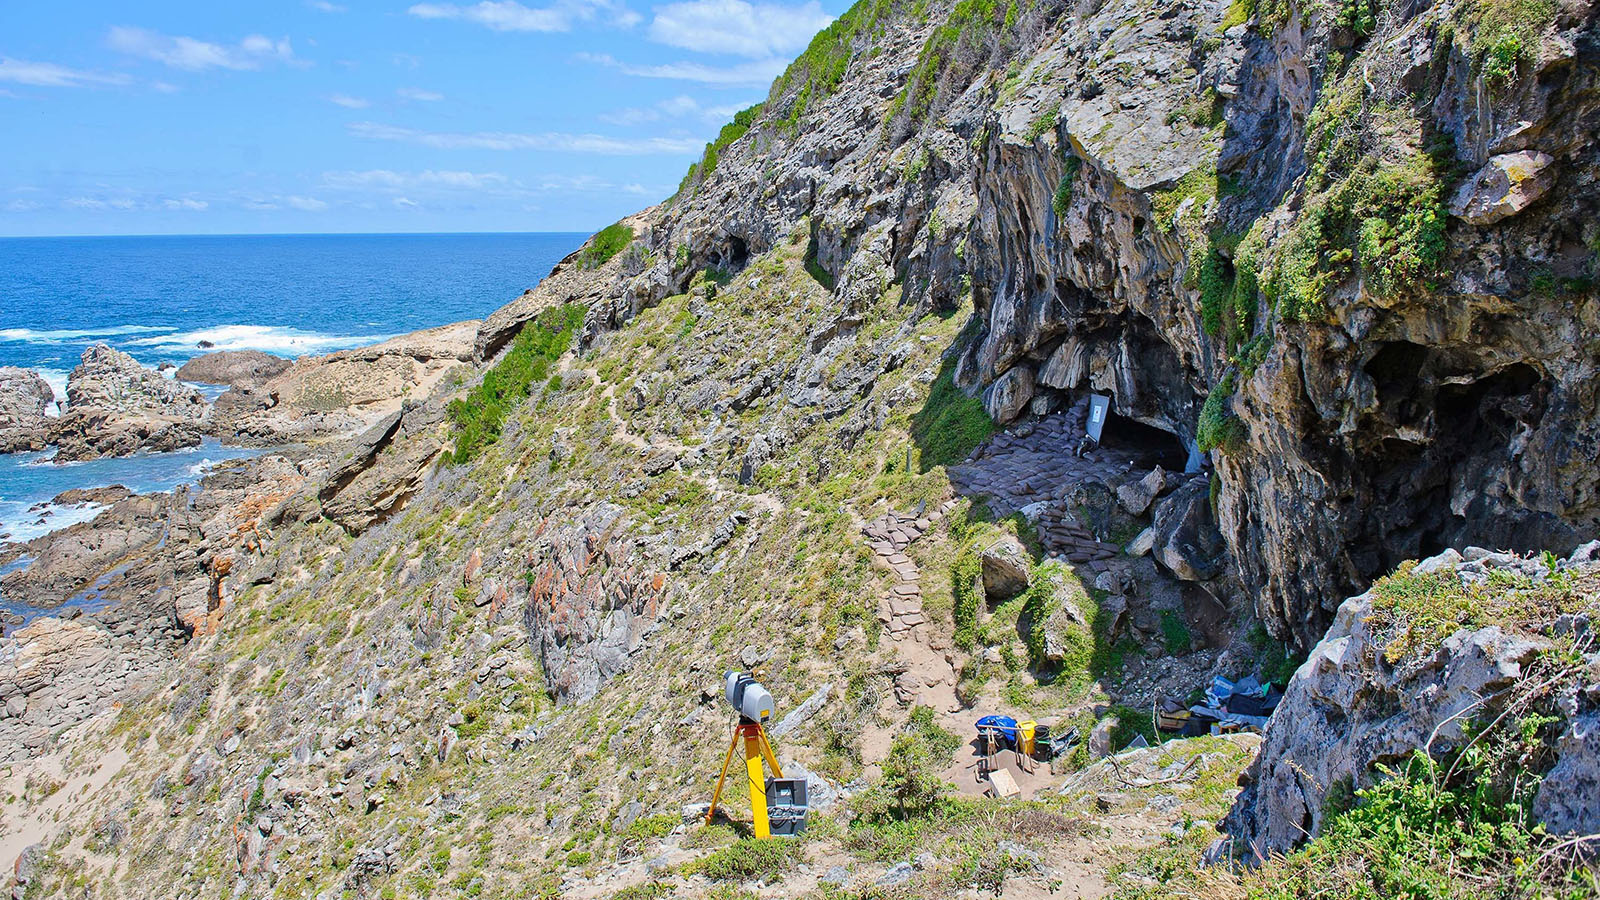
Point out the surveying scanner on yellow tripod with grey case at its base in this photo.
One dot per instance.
(778, 805)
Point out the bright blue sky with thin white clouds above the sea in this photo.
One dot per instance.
(319, 116)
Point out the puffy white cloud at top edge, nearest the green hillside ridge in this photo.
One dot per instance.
(737, 26)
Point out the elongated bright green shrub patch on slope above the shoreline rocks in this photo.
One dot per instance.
(481, 416)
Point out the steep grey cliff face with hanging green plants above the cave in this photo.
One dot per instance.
(1364, 239)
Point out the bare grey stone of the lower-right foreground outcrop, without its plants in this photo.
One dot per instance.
(1350, 710)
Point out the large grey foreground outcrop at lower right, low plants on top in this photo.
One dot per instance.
(1364, 702)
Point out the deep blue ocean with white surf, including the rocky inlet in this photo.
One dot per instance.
(172, 299)
